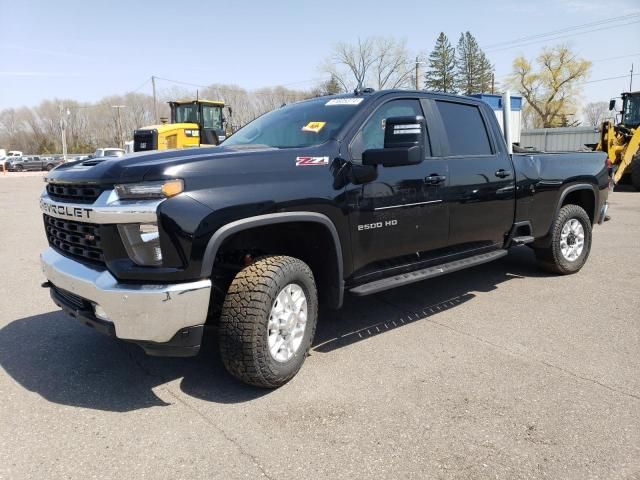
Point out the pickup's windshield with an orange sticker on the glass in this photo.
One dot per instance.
(298, 125)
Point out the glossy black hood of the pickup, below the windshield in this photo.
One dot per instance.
(155, 165)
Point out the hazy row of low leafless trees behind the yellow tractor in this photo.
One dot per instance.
(89, 126)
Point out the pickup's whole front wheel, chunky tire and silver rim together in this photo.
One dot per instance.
(268, 321)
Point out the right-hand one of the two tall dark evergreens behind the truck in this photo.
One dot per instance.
(473, 68)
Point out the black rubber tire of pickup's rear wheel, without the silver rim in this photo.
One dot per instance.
(551, 258)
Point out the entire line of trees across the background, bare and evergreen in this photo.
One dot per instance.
(550, 85)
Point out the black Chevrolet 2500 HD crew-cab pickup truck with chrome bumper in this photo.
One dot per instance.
(352, 193)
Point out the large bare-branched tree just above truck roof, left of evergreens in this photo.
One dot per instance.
(377, 62)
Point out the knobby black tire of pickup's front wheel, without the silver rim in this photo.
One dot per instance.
(244, 331)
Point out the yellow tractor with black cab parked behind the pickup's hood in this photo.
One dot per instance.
(194, 123)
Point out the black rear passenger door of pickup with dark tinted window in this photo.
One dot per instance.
(481, 194)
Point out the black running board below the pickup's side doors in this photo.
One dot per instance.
(419, 275)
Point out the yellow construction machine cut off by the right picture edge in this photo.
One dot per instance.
(621, 140)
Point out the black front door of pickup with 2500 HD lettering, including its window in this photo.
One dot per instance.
(402, 212)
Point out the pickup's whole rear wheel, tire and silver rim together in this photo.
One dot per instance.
(570, 242)
